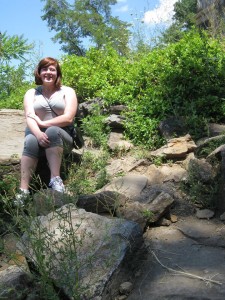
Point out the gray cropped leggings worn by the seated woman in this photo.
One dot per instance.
(57, 136)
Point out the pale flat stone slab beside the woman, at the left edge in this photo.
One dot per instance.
(12, 133)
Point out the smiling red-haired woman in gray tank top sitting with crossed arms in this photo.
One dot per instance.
(49, 109)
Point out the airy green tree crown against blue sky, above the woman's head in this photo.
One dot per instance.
(86, 20)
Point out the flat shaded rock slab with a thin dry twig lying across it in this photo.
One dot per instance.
(181, 248)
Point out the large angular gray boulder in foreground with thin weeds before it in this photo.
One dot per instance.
(97, 248)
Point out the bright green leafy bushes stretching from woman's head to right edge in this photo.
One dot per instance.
(183, 79)
